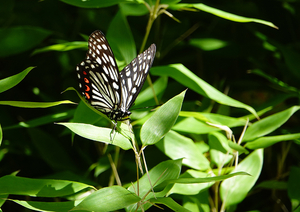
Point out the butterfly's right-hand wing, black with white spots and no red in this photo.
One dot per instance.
(134, 75)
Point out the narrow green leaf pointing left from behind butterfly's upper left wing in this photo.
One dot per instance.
(62, 47)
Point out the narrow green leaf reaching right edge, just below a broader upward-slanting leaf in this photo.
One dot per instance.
(267, 141)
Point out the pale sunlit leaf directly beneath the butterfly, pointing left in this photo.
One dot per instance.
(100, 134)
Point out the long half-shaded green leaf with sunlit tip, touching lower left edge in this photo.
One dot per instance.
(39, 187)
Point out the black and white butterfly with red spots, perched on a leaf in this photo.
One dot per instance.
(105, 88)
